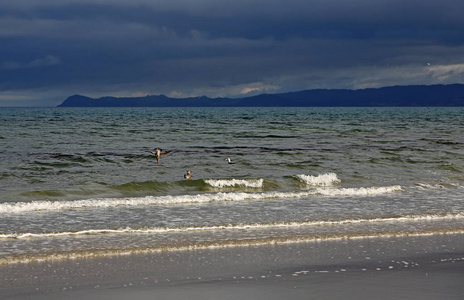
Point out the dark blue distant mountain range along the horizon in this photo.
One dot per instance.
(403, 96)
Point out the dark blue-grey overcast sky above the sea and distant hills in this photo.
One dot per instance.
(51, 49)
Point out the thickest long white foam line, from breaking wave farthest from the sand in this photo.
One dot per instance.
(24, 207)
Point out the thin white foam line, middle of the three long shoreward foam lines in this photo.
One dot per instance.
(253, 226)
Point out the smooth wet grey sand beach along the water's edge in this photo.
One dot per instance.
(412, 267)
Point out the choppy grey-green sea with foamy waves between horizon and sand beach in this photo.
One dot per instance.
(80, 182)
